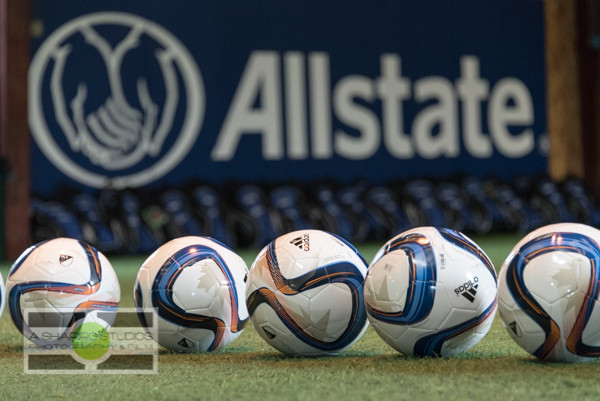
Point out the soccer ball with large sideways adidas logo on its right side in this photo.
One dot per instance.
(431, 292)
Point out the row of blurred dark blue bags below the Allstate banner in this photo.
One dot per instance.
(366, 213)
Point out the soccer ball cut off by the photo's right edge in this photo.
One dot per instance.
(548, 293)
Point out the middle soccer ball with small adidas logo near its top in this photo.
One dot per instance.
(304, 293)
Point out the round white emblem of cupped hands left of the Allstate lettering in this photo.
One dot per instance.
(114, 99)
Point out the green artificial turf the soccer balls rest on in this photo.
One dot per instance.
(495, 369)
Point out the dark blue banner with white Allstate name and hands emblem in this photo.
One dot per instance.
(136, 93)
